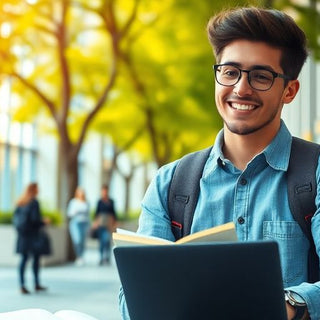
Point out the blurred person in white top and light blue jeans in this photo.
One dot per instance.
(78, 212)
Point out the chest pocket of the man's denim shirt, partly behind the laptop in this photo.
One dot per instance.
(293, 249)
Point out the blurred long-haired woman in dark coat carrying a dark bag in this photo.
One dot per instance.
(29, 224)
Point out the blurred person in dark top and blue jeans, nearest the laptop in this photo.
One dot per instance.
(105, 221)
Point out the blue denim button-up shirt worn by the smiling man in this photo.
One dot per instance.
(257, 197)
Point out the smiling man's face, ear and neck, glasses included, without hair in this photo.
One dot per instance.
(250, 92)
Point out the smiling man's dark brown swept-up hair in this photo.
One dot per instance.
(257, 24)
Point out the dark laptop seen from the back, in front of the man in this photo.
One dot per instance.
(222, 281)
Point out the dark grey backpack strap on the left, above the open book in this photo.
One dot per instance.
(184, 191)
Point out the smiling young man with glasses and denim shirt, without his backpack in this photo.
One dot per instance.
(259, 55)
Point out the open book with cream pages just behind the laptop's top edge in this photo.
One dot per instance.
(225, 232)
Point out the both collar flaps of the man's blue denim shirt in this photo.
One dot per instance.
(277, 153)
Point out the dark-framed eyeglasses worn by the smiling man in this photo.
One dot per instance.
(259, 78)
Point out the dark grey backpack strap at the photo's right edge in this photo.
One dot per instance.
(302, 189)
